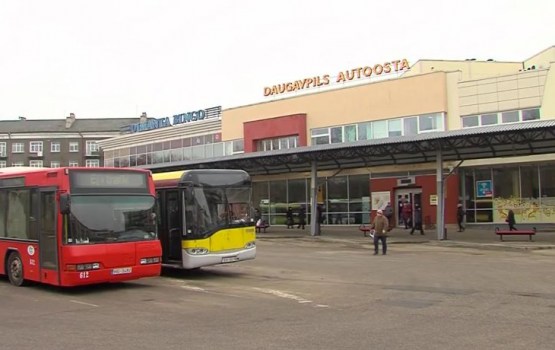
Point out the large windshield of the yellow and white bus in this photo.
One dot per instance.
(213, 208)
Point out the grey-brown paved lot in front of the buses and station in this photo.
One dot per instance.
(303, 294)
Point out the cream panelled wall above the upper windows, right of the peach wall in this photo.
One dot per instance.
(509, 92)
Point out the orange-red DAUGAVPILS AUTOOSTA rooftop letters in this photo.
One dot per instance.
(342, 77)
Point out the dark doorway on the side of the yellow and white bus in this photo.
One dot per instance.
(171, 237)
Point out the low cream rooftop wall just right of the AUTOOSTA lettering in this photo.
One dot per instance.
(469, 70)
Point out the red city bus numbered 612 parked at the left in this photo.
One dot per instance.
(77, 226)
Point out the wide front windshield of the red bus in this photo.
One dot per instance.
(103, 219)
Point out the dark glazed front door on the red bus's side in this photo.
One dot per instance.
(46, 209)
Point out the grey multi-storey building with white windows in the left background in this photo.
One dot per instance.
(56, 143)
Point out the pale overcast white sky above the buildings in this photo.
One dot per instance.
(117, 59)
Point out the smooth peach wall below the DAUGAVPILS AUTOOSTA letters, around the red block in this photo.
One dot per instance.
(380, 100)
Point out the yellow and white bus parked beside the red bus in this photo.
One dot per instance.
(205, 217)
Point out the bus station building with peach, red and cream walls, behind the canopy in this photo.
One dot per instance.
(433, 96)
